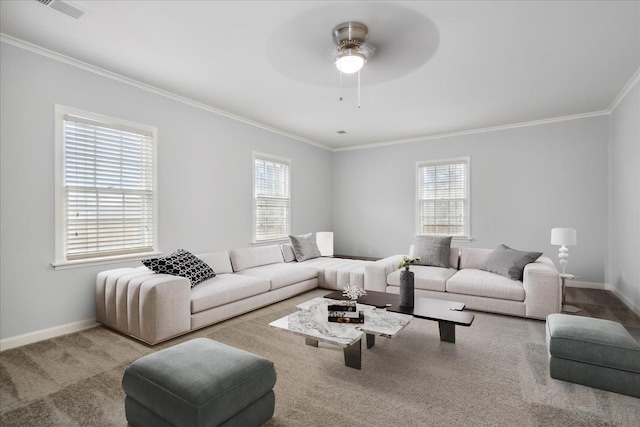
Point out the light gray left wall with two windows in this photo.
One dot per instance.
(205, 182)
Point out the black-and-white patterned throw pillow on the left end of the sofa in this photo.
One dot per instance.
(181, 263)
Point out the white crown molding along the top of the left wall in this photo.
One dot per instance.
(4, 38)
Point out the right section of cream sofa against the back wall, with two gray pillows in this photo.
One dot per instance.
(536, 296)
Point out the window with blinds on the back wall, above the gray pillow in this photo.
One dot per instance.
(443, 198)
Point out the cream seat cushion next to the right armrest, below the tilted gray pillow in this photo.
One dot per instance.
(482, 283)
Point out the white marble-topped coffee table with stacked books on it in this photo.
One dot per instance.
(310, 321)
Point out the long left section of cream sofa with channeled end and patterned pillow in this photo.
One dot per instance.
(156, 307)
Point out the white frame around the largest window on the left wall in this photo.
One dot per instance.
(61, 260)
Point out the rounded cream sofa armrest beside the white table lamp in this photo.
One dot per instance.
(543, 289)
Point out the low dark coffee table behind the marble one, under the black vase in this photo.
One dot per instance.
(448, 314)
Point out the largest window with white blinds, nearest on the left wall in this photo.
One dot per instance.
(105, 188)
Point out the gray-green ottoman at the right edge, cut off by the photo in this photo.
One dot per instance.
(593, 352)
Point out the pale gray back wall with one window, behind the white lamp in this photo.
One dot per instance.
(524, 182)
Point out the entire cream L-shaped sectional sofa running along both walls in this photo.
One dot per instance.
(154, 307)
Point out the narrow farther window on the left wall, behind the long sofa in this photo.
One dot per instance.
(272, 203)
